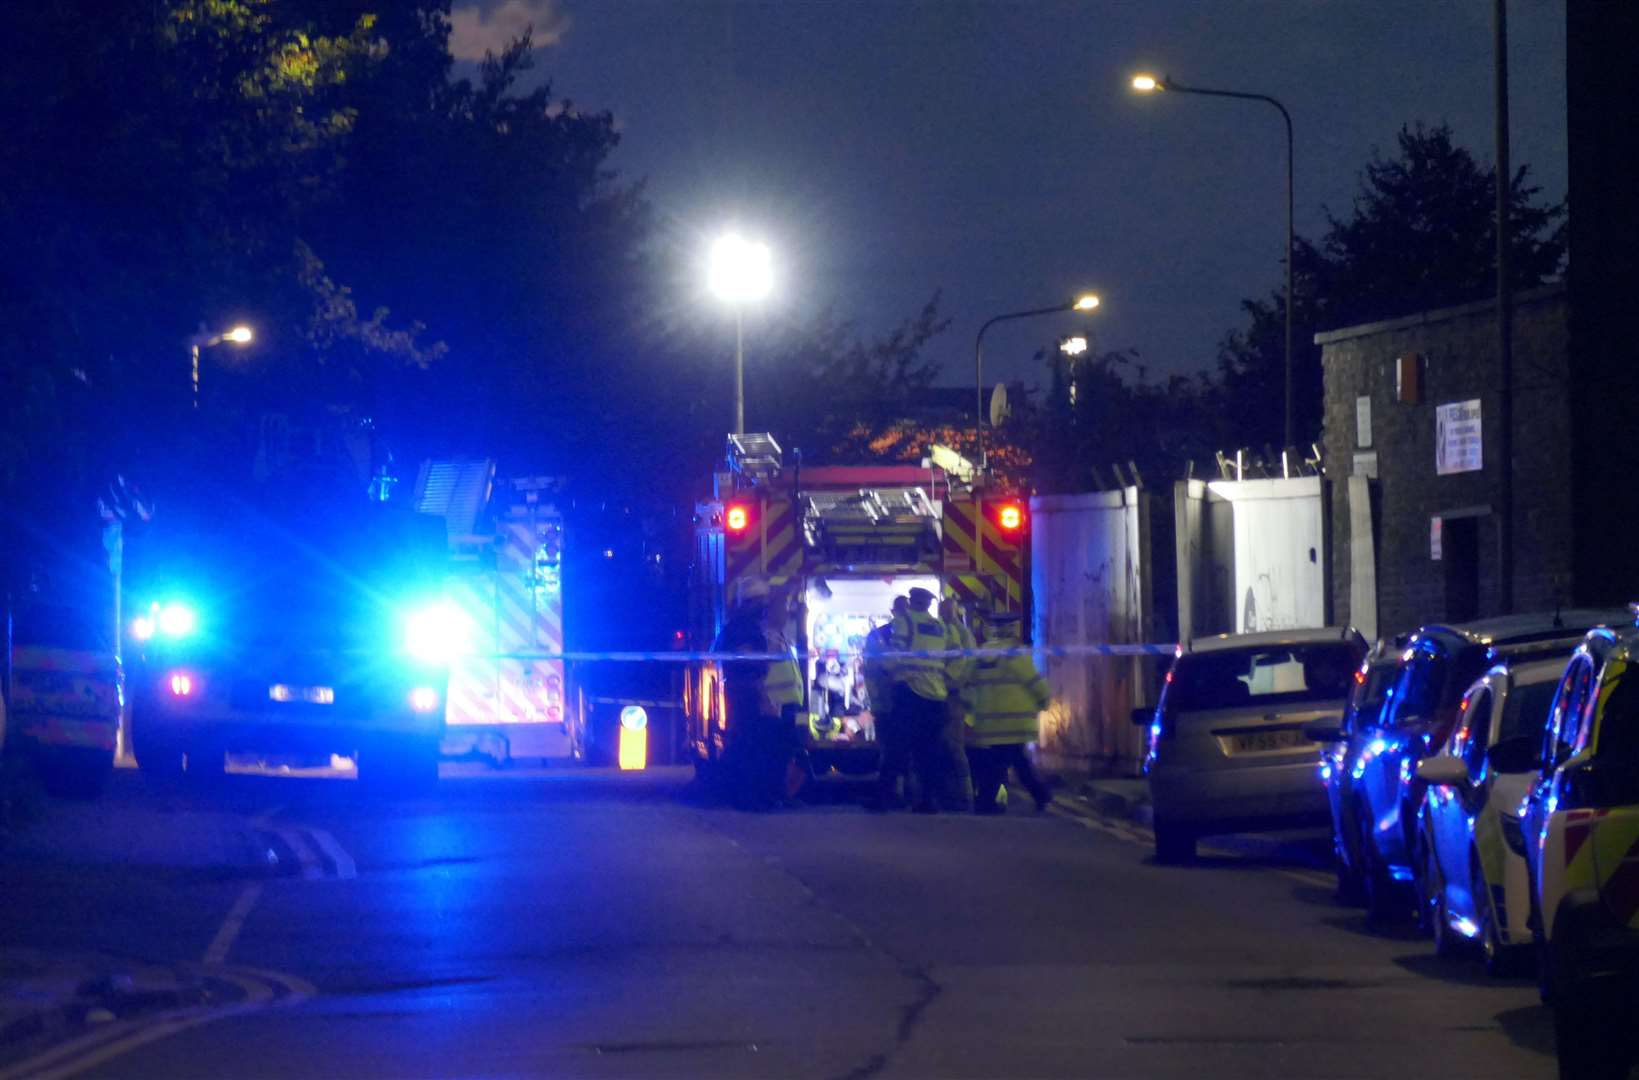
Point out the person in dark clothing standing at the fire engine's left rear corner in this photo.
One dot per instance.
(763, 699)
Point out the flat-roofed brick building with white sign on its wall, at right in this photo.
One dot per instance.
(1414, 456)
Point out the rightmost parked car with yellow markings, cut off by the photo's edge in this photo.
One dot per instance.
(1581, 824)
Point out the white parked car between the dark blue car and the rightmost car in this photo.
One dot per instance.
(1471, 866)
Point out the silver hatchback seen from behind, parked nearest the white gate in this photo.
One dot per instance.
(1227, 745)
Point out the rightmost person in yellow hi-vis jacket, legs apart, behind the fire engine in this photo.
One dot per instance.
(1007, 696)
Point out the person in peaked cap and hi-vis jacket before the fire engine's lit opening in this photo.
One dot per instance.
(922, 699)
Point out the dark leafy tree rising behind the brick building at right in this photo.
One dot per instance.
(1422, 235)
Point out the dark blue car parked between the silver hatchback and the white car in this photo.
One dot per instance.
(1379, 761)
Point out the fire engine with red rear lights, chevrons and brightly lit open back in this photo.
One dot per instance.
(837, 545)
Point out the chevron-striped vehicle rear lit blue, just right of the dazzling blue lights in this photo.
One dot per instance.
(507, 588)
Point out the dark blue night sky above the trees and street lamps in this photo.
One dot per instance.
(992, 150)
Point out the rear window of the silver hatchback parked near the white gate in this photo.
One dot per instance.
(1263, 676)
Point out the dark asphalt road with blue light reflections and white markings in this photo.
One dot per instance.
(578, 923)
